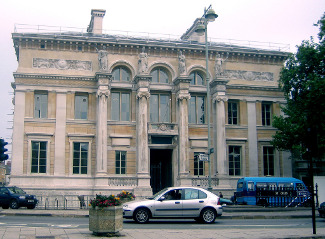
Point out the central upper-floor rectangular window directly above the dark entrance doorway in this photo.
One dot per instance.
(159, 108)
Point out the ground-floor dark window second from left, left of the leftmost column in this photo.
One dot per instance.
(80, 158)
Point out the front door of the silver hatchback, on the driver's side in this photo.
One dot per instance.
(169, 205)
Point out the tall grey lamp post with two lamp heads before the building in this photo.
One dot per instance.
(208, 16)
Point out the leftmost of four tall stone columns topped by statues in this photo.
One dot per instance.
(103, 92)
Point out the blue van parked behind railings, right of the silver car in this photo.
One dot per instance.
(271, 191)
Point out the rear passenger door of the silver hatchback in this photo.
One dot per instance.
(194, 201)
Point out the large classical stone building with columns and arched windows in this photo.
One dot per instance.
(95, 112)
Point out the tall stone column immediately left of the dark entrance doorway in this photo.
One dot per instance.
(143, 95)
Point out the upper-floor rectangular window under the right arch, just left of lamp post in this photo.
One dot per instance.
(197, 110)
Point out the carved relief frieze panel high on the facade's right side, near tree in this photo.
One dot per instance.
(248, 75)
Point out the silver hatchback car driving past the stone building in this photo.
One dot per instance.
(176, 202)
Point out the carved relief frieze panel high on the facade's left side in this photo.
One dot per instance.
(61, 64)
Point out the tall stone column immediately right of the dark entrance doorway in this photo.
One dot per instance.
(183, 96)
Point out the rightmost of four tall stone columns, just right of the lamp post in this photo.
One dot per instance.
(218, 91)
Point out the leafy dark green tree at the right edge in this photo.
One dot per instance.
(302, 128)
